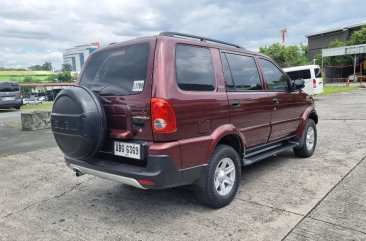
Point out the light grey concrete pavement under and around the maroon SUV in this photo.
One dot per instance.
(281, 198)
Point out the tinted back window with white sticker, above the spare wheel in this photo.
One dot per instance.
(118, 71)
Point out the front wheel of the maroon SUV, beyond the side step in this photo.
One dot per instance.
(309, 140)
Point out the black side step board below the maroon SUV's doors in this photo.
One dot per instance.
(252, 157)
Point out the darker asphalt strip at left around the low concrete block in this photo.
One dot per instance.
(14, 140)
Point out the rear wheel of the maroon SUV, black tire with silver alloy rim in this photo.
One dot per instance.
(208, 194)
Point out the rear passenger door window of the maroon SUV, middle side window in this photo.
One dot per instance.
(243, 72)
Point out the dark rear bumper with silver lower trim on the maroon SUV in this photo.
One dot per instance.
(159, 172)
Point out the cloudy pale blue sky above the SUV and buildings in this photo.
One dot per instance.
(33, 32)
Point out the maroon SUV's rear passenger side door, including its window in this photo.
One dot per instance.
(250, 106)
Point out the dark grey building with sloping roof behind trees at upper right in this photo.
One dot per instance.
(321, 40)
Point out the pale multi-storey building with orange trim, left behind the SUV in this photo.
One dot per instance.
(77, 56)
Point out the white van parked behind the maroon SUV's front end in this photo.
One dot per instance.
(312, 76)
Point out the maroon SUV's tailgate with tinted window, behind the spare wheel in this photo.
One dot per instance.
(122, 76)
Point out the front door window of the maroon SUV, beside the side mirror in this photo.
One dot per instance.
(275, 78)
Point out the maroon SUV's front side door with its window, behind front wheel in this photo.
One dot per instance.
(286, 115)
